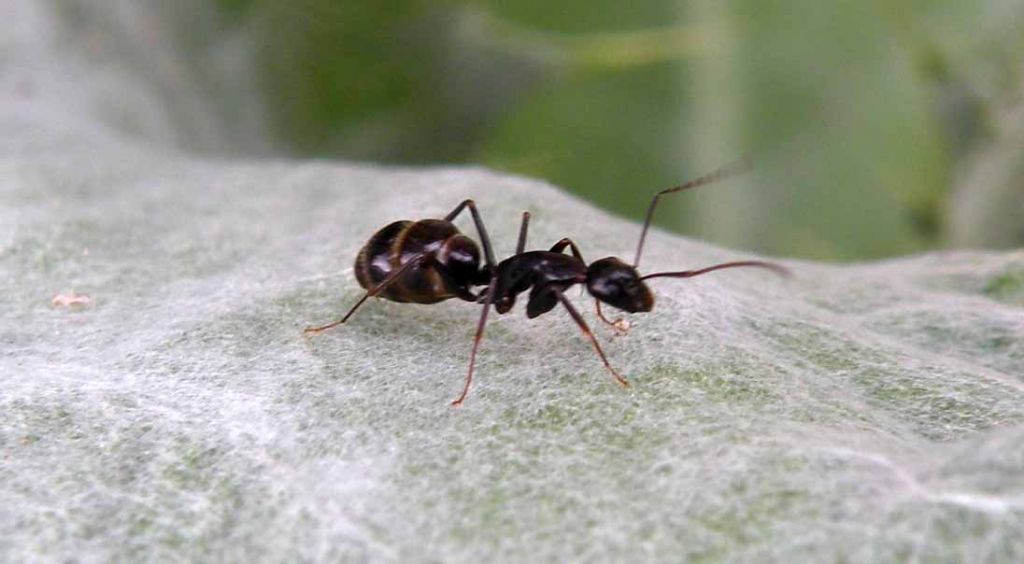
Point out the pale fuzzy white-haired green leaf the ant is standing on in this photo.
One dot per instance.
(159, 401)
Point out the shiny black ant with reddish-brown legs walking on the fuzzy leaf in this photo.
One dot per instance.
(431, 261)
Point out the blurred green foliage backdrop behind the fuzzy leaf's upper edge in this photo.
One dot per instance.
(877, 128)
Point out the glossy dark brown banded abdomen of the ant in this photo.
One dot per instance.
(393, 247)
